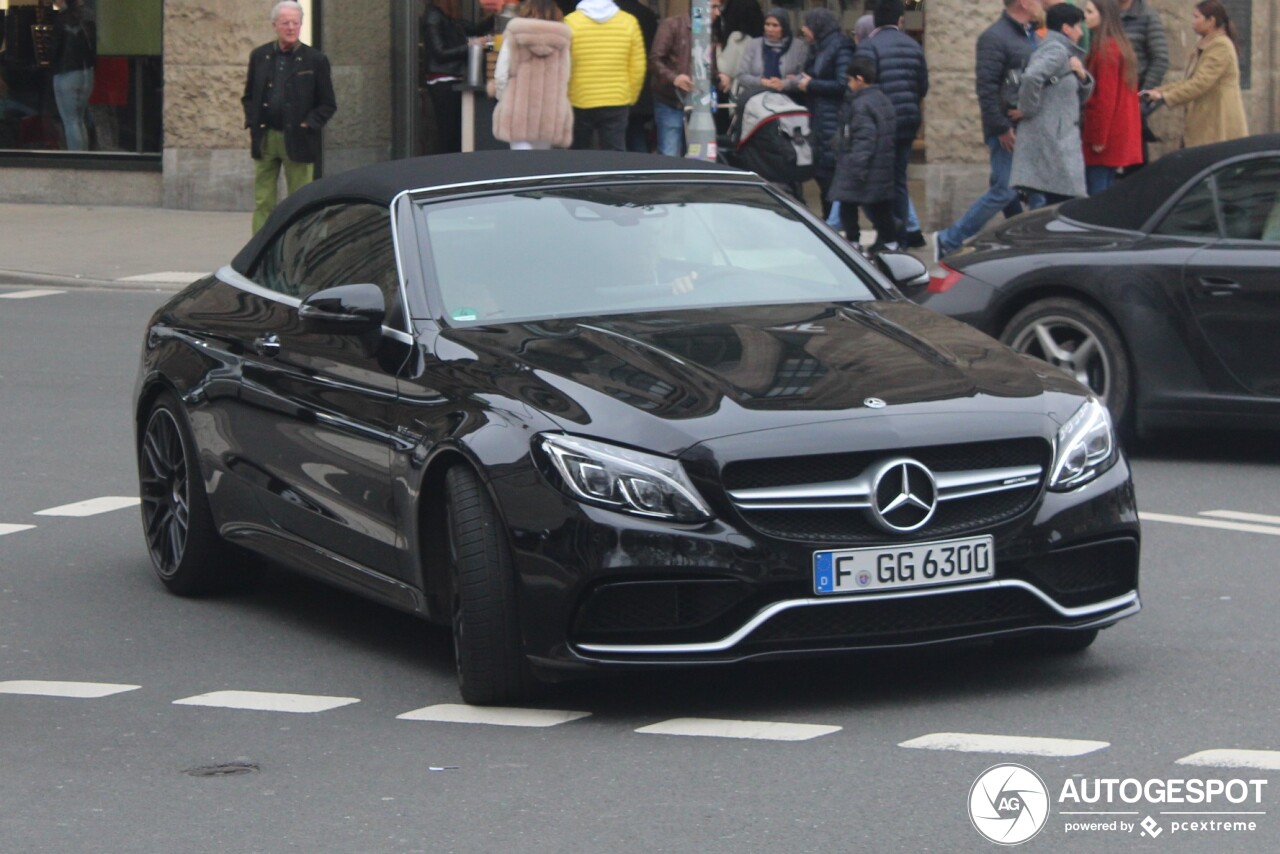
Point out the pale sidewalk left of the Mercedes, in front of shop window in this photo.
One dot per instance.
(125, 248)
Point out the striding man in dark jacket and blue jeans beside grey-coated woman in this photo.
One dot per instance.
(1005, 45)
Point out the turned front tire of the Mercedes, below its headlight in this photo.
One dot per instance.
(491, 661)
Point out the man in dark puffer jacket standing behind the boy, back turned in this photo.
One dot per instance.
(904, 77)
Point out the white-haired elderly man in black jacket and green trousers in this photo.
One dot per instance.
(289, 98)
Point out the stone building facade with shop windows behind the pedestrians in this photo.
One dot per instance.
(166, 126)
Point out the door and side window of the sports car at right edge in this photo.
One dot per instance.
(1233, 285)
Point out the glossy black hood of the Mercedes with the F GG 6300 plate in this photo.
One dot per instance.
(674, 380)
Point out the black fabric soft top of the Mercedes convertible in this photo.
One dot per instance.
(382, 182)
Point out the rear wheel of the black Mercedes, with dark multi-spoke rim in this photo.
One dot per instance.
(186, 551)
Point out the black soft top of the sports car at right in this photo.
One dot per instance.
(1136, 200)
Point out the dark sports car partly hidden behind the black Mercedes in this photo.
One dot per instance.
(1163, 294)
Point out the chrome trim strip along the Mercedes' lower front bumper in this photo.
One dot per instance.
(765, 615)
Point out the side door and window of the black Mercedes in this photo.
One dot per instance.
(317, 409)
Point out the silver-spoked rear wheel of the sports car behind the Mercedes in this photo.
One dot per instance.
(1080, 341)
